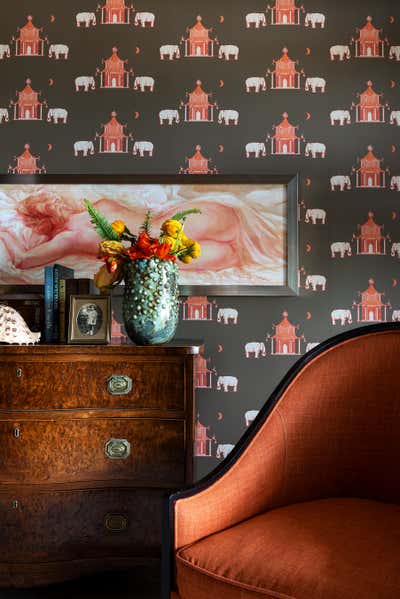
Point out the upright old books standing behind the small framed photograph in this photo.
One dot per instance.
(59, 286)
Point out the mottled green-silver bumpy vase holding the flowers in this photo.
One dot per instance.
(150, 302)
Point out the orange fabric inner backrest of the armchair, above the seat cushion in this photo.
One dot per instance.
(334, 432)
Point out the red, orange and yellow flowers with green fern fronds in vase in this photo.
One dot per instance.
(119, 246)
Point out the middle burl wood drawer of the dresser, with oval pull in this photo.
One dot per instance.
(146, 450)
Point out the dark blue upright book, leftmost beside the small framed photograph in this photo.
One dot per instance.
(52, 276)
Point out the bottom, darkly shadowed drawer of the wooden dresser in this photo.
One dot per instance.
(74, 525)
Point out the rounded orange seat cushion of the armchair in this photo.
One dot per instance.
(341, 548)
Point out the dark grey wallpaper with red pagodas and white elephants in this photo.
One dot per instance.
(226, 87)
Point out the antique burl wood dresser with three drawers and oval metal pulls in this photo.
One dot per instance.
(91, 438)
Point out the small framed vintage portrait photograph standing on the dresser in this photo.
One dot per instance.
(89, 319)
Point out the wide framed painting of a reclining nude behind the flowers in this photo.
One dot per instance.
(247, 229)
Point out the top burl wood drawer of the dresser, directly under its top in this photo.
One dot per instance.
(32, 385)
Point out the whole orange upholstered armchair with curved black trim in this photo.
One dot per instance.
(307, 505)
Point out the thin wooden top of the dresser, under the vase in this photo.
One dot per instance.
(176, 348)
